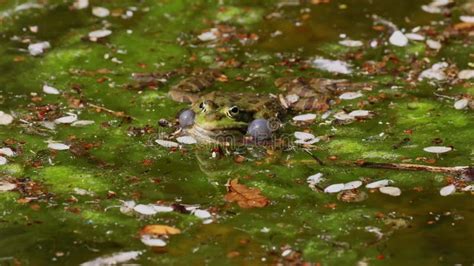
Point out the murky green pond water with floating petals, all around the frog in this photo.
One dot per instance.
(65, 187)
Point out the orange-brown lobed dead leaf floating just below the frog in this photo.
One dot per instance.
(244, 196)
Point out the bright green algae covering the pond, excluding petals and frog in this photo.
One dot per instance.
(125, 166)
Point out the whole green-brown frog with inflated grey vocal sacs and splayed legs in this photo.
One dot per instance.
(217, 117)
